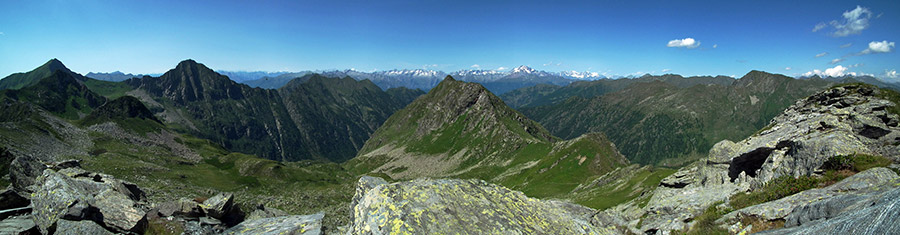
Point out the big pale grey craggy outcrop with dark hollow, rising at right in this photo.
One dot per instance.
(841, 121)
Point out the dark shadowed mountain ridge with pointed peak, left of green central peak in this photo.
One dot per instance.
(312, 118)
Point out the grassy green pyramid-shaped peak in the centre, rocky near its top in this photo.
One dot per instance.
(461, 129)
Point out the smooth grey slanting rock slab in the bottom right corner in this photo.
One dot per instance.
(877, 214)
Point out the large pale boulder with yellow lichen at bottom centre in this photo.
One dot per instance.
(427, 206)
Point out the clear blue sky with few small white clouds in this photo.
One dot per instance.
(609, 37)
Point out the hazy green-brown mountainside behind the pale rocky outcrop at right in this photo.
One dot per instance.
(655, 121)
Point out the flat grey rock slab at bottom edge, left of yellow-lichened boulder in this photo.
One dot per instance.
(295, 224)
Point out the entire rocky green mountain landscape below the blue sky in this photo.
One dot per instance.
(523, 151)
